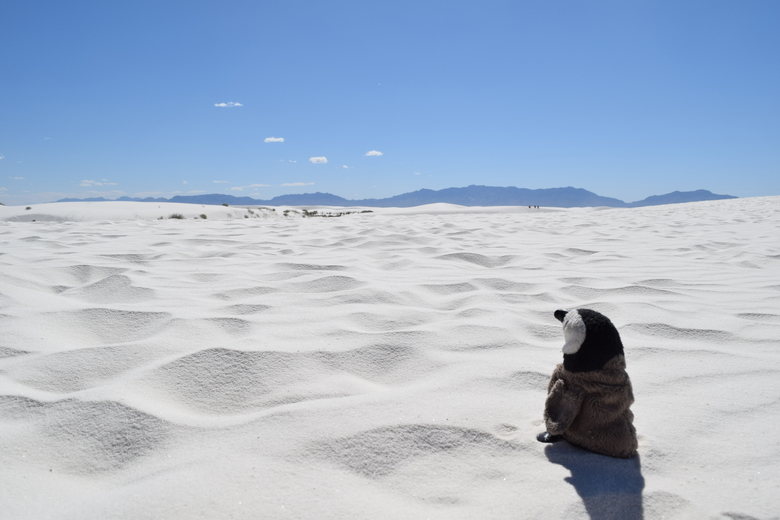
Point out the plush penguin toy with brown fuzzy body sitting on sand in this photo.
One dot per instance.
(589, 395)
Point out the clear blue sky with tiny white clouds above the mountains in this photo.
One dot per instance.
(623, 98)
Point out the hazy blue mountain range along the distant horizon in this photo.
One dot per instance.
(469, 196)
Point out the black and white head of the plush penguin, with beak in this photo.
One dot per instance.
(591, 340)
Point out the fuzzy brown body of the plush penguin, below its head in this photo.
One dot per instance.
(591, 409)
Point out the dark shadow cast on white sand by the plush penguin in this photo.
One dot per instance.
(610, 488)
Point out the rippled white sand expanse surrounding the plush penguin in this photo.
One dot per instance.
(381, 365)
